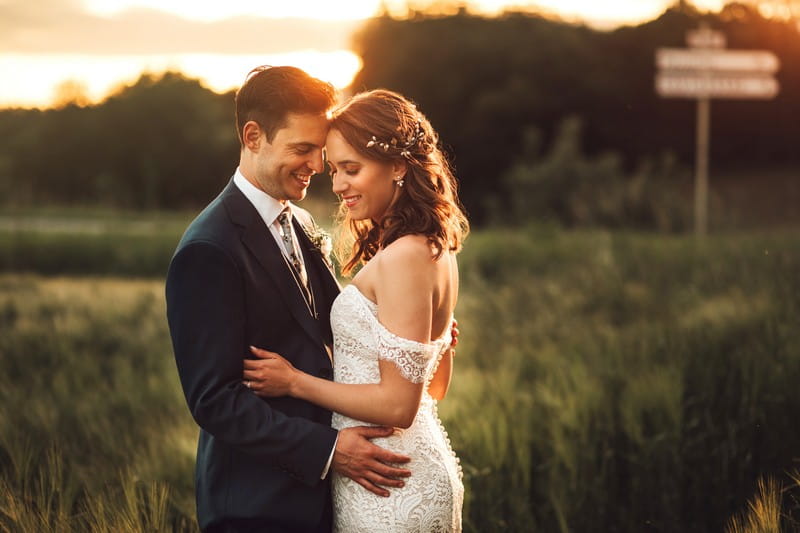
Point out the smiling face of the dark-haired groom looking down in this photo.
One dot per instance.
(284, 166)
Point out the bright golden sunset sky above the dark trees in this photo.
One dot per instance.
(101, 43)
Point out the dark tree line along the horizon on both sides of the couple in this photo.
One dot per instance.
(489, 85)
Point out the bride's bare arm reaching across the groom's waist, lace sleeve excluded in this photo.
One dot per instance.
(404, 292)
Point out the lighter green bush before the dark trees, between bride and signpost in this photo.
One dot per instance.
(567, 187)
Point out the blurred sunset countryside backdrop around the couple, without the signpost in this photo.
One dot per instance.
(616, 372)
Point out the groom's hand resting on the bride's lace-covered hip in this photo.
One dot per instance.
(365, 463)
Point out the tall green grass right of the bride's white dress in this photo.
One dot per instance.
(624, 382)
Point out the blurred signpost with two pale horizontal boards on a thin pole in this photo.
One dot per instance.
(705, 71)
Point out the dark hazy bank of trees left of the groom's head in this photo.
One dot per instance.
(162, 142)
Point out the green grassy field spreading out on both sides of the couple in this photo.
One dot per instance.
(605, 382)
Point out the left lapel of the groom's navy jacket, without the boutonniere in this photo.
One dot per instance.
(257, 238)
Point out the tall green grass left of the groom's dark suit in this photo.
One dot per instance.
(94, 434)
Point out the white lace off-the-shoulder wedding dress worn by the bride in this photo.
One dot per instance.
(433, 495)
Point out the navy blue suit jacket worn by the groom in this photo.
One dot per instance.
(229, 287)
